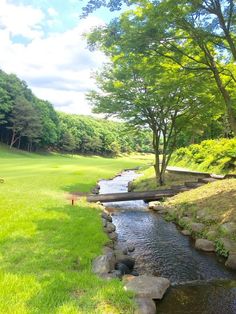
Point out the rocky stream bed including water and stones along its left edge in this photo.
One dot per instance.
(159, 262)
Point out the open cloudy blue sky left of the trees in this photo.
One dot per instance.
(42, 43)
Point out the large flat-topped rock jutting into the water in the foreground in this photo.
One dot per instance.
(148, 286)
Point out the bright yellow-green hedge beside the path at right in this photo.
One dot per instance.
(218, 156)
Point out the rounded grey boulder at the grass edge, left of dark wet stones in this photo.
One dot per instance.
(103, 264)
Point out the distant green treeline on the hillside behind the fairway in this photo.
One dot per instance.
(29, 123)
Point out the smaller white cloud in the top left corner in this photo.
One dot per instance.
(21, 20)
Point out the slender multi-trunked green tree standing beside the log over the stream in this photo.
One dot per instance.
(146, 92)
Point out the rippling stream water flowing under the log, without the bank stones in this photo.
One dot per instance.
(201, 284)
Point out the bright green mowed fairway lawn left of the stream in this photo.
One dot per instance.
(47, 245)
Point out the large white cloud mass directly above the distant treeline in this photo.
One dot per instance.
(57, 67)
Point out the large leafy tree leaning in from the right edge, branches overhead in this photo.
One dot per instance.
(199, 36)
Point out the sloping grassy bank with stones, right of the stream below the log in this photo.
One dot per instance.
(213, 205)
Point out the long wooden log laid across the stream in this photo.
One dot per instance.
(131, 196)
